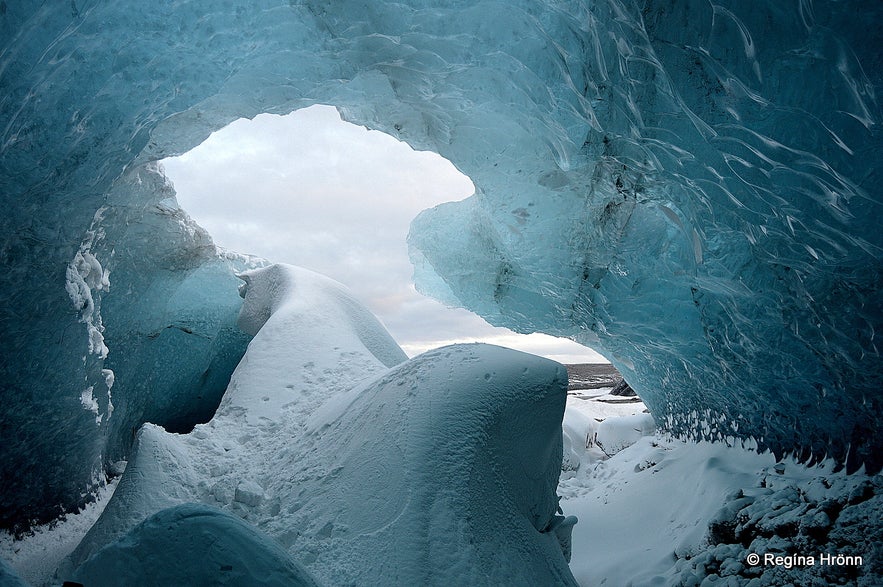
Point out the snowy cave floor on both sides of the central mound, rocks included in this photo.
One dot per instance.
(657, 512)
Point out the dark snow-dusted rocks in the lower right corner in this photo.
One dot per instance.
(825, 531)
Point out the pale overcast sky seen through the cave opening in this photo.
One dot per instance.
(311, 190)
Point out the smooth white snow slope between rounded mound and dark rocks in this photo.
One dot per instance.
(636, 508)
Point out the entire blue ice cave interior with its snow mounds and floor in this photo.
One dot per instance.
(691, 187)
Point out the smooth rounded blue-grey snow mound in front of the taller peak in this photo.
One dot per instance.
(447, 465)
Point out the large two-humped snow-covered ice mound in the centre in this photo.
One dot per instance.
(441, 469)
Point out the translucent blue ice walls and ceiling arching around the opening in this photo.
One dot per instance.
(691, 186)
